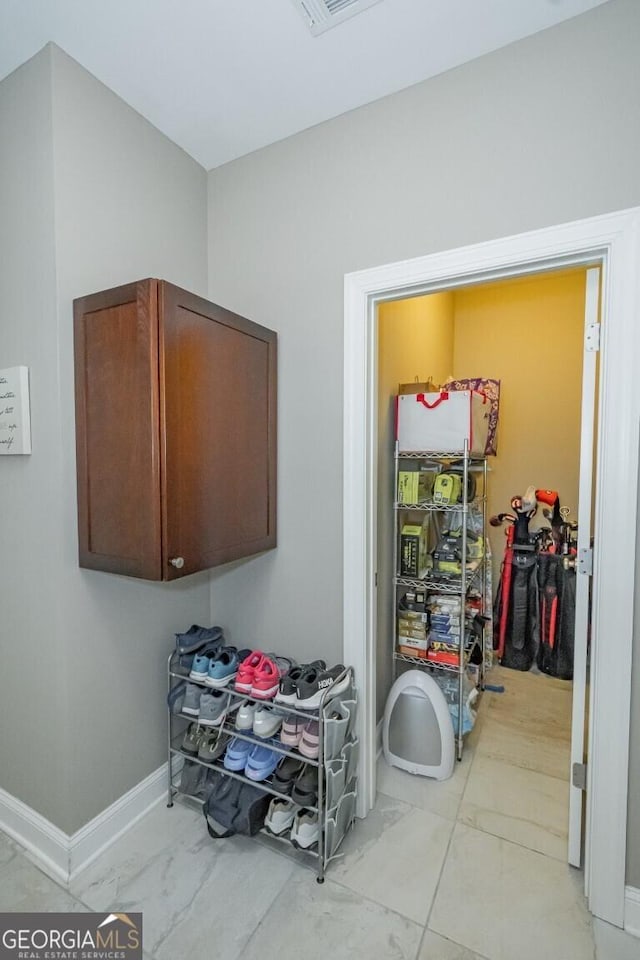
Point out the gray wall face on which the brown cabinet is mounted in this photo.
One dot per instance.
(129, 204)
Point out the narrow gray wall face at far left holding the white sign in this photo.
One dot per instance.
(31, 679)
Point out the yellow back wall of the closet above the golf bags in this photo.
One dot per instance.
(527, 333)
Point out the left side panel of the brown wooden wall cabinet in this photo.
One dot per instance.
(117, 430)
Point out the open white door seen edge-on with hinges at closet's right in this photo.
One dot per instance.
(577, 803)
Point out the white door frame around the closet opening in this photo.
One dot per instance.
(613, 241)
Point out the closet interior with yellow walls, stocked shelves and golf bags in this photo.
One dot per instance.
(491, 532)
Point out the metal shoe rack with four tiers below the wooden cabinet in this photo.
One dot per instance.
(337, 763)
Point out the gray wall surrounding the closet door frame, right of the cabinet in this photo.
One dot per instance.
(541, 132)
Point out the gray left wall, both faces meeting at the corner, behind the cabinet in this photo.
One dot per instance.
(83, 682)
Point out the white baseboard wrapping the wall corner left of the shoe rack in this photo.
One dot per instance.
(62, 856)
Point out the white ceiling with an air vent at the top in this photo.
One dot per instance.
(224, 77)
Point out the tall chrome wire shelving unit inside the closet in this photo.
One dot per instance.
(472, 580)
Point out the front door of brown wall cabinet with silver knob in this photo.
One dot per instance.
(218, 455)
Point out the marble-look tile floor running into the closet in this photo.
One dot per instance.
(469, 869)
